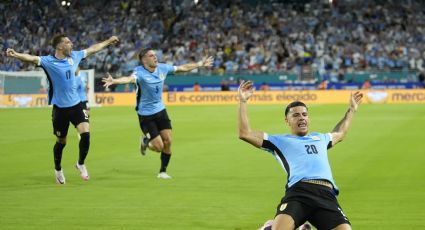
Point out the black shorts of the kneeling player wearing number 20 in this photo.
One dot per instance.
(314, 203)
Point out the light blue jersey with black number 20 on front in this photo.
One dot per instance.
(303, 158)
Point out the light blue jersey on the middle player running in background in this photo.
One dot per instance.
(149, 88)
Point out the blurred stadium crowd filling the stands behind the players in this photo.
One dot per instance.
(255, 36)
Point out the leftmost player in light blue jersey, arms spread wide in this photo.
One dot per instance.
(67, 107)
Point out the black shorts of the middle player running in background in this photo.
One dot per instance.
(151, 125)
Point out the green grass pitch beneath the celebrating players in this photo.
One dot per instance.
(219, 181)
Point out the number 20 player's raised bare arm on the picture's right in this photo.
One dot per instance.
(340, 130)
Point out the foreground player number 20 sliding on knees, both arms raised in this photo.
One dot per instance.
(310, 191)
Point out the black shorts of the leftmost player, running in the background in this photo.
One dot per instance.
(62, 116)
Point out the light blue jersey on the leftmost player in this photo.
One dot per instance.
(61, 75)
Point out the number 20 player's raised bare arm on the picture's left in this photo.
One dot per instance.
(245, 91)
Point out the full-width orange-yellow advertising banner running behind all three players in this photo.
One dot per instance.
(414, 96)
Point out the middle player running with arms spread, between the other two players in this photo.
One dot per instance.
(153, 117)
